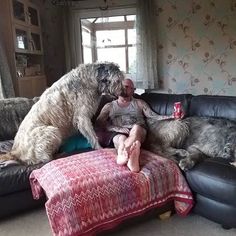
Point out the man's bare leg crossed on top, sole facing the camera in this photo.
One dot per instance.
(133, 143)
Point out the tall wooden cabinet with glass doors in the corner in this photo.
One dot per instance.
(24, 40)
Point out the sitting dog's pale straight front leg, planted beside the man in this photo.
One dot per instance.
(85, 126)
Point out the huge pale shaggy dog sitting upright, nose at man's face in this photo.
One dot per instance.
(64, 108)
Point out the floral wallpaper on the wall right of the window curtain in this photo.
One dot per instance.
(197, 46)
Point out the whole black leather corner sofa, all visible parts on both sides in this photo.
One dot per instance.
(213, 181)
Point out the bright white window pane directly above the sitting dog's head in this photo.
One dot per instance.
(116, 55)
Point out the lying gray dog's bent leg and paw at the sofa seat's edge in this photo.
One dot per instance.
(195, 156)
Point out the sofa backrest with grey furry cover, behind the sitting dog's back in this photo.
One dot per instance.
(12, 112)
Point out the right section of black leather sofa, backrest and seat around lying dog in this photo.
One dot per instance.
(213, 181)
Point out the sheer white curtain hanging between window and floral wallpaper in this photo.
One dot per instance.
(146, 54)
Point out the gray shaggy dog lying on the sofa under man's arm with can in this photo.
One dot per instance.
(190, 140)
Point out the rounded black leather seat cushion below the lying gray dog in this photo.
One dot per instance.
(214, 178)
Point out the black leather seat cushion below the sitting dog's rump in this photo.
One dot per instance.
(16, 178)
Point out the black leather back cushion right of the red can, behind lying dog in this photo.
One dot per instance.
(215, 106)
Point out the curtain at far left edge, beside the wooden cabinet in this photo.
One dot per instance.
(6, 86)
